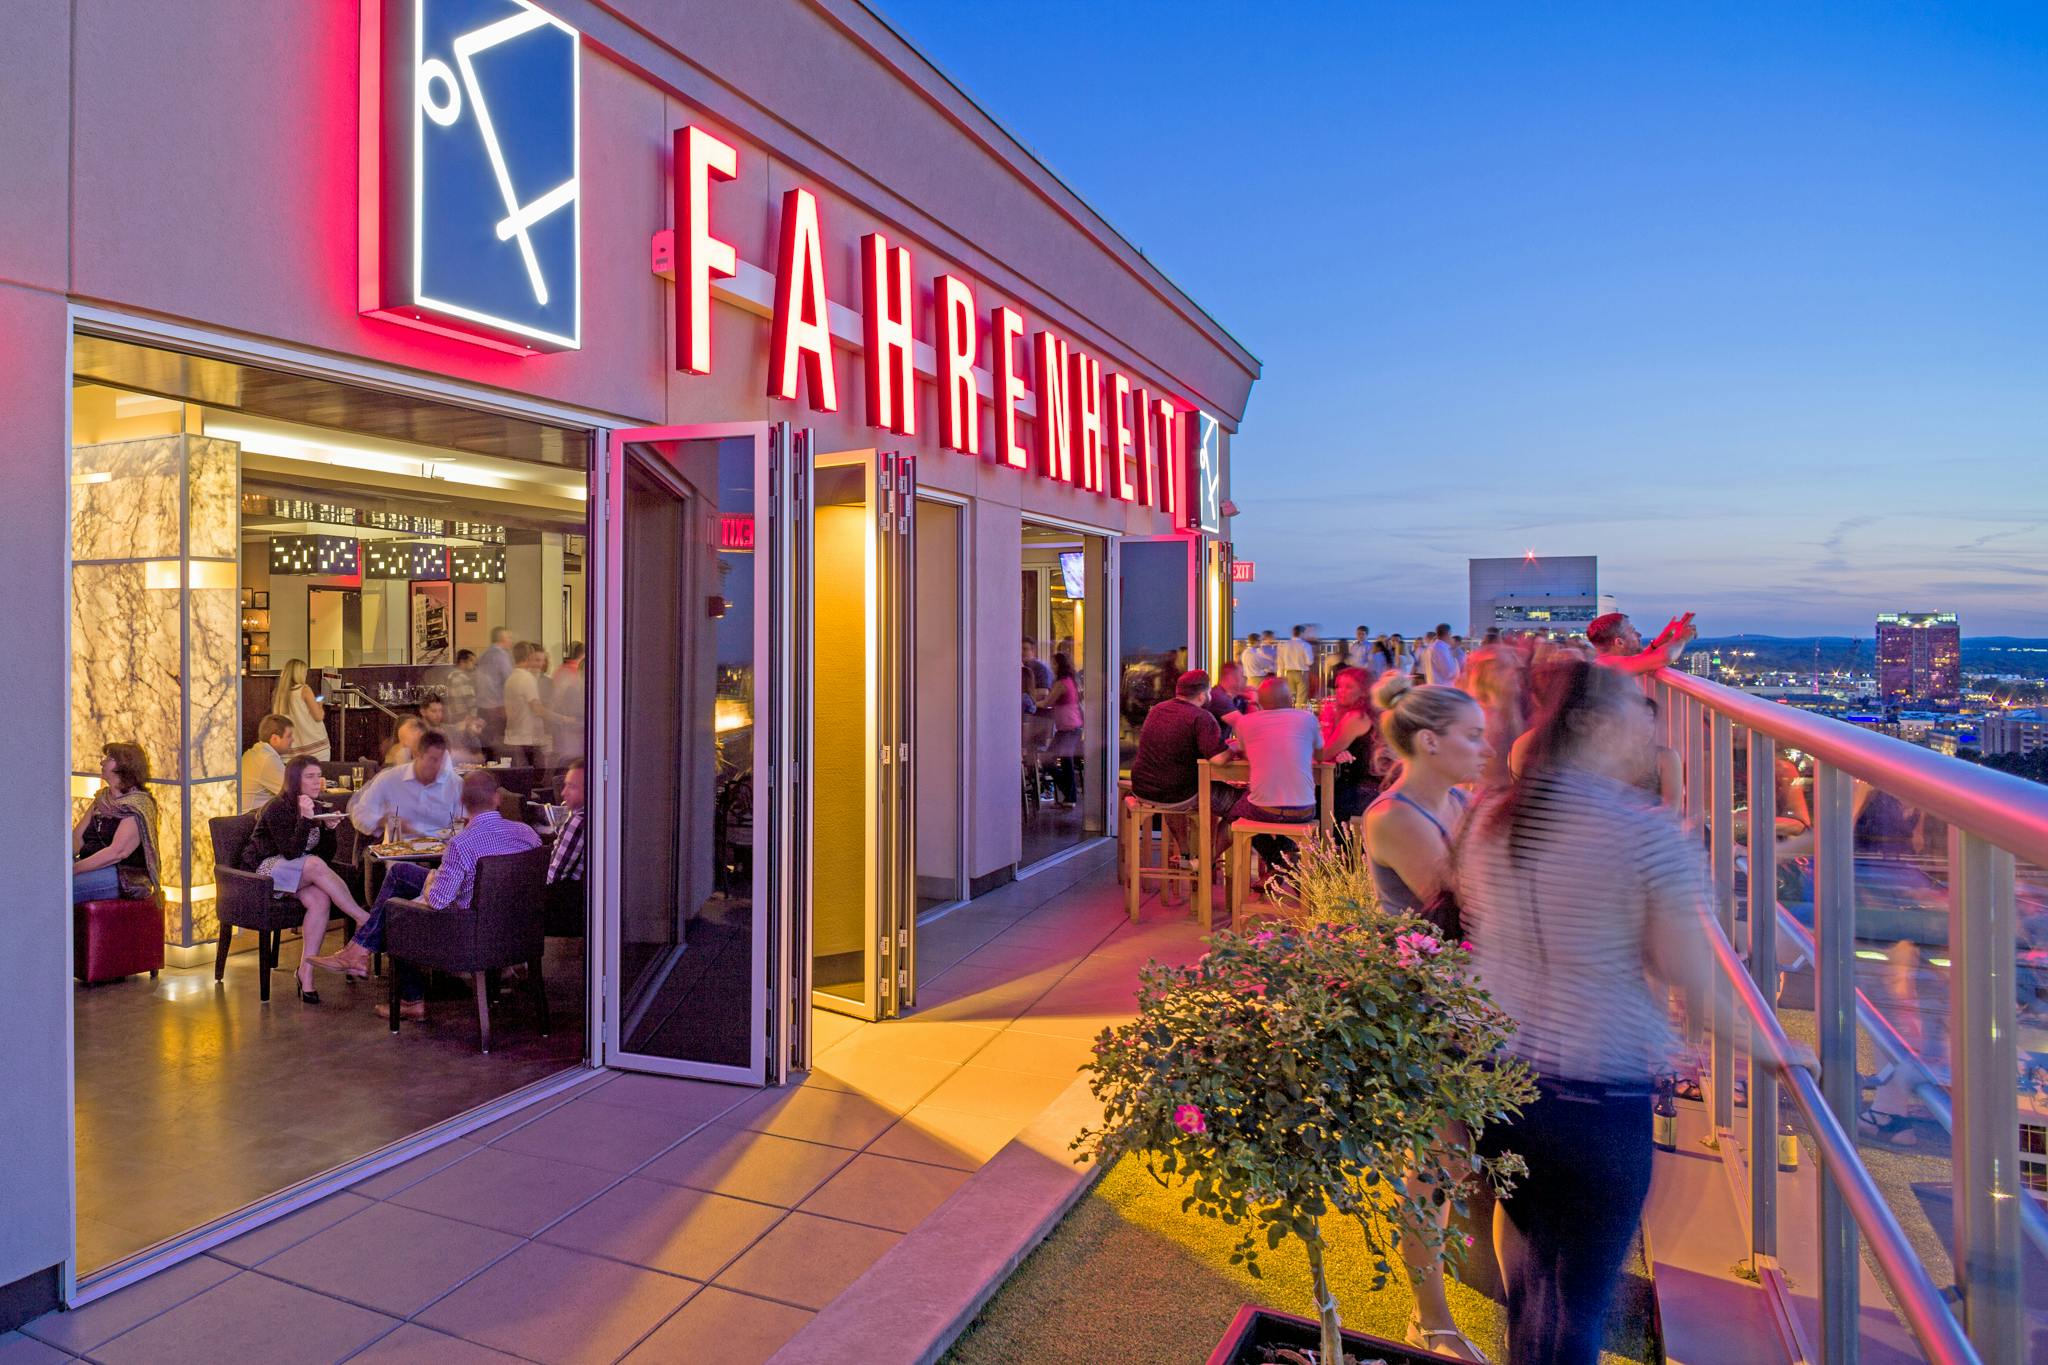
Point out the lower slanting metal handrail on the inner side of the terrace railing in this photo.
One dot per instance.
(1920, 1303)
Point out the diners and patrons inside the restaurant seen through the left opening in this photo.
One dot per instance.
(433, 785)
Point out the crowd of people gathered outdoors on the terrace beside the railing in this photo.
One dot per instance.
(1519, 797)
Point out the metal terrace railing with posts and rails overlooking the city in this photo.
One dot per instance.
(1994, 822)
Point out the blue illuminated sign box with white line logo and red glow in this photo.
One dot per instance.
(472, 202)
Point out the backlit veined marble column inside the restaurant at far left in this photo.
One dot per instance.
(157, 644)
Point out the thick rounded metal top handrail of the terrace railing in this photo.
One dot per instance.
(2004, 809)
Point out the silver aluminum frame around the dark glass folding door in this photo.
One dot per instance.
(773, 738)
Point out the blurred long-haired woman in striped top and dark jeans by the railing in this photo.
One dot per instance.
(1578, 891)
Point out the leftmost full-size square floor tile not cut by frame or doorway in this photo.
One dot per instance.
(392, 1258)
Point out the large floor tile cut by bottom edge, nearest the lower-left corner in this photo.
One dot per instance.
(249, 1319)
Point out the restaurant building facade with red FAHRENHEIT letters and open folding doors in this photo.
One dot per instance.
(740, 369)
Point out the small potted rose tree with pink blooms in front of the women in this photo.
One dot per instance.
(1295, 1075)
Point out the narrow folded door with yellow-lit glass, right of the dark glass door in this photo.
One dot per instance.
(865, 592)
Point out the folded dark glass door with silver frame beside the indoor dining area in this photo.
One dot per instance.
(701, 797)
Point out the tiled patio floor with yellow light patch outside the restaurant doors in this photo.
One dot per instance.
(646, 1219)
